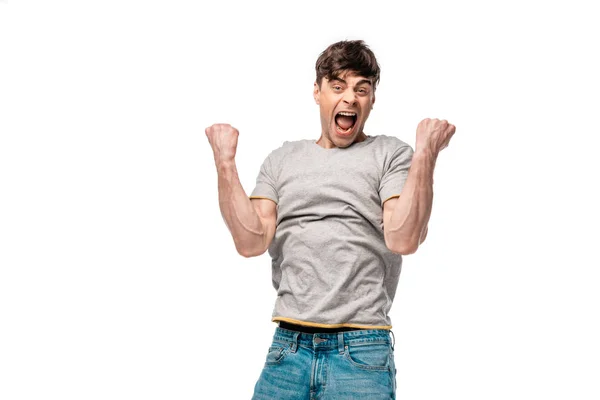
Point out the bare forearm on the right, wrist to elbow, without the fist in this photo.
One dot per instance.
(409, 218)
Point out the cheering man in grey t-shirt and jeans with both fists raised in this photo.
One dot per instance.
(336, 215)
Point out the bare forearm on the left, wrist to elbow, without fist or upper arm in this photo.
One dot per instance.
(238, 212)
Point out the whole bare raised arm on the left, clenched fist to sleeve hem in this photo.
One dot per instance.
(251, 222)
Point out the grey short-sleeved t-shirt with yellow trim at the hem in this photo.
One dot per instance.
(330, 265)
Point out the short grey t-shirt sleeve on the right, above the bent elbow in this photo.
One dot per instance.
(395, 172)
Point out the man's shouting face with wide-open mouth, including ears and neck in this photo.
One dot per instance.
(345, 103)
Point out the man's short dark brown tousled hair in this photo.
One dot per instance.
(347, 55)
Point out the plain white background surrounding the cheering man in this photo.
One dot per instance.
(119, 279)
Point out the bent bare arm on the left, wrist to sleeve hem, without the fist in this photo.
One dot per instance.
(251, 222)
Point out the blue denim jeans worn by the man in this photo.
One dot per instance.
(355, 364)
